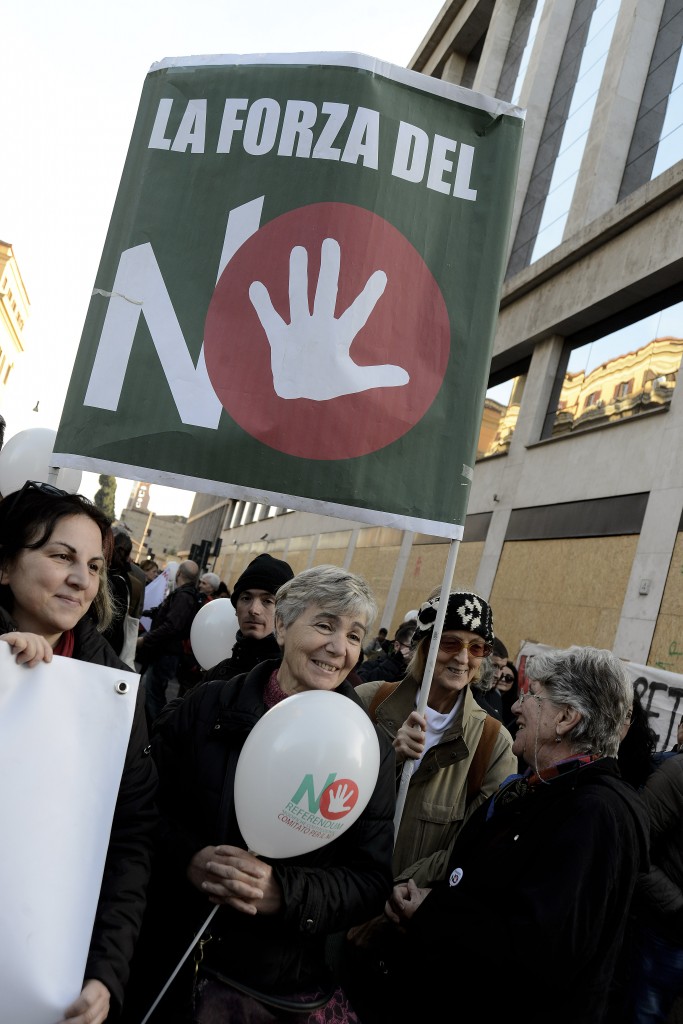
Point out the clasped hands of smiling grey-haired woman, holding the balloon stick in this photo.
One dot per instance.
(235, 878)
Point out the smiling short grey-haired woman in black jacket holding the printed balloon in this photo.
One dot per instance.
(267, 946)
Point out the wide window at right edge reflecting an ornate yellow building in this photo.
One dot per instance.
(637, 365)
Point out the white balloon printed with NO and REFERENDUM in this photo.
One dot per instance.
(306, 774)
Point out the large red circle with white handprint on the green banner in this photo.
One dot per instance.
(408, 331)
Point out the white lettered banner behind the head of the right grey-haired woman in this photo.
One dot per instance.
(660, 692)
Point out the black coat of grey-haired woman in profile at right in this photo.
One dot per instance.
(552, 872)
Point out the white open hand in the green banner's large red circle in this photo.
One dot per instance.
(310, 357)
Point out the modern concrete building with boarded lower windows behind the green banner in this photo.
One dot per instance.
(575, 528)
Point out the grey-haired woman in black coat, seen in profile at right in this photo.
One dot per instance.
(552, 861)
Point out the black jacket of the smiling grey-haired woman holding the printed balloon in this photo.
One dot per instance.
(197, 747)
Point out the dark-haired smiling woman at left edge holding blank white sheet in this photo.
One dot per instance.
(55, 601)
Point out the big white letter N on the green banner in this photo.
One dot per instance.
(140, 289)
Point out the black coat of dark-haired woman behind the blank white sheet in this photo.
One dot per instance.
(129, 863)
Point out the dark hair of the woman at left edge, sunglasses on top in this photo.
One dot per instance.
(28, 519)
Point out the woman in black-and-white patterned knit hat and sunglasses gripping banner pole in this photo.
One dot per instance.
(461, 753)
